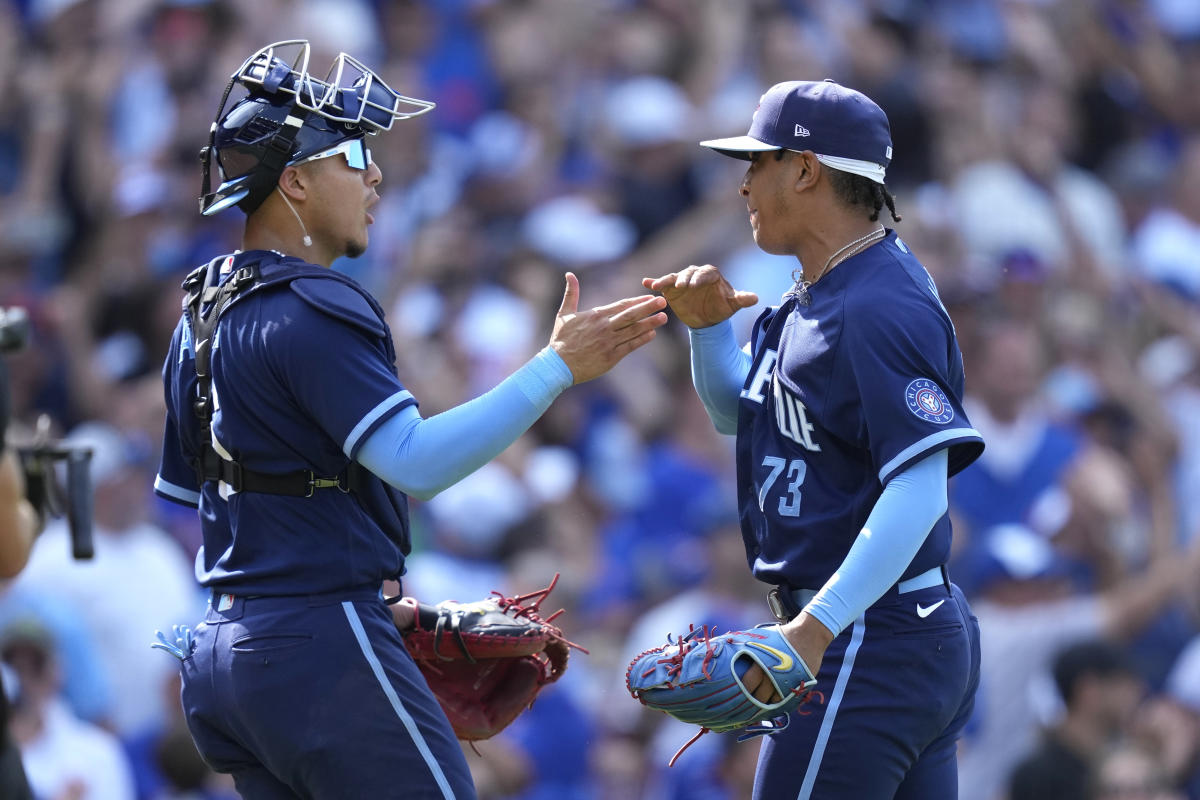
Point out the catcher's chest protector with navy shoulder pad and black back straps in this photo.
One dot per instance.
(208, 298)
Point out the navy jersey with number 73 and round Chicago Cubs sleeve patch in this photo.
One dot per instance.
(842, 396)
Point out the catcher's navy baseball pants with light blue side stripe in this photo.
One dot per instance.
(317, 697)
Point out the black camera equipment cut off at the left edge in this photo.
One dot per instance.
(51, 497)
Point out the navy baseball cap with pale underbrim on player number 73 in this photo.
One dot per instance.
(845, 129)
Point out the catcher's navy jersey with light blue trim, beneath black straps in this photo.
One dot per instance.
(303, 374)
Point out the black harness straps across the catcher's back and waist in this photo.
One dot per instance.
(205, 304)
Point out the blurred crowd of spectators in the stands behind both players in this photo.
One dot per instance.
(1048, 172)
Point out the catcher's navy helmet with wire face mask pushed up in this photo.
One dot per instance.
(289, 117)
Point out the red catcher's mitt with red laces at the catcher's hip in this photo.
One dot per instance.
(487, 661)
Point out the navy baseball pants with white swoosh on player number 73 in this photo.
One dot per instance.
(899, 687)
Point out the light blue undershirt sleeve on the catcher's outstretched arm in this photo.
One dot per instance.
(423, 458)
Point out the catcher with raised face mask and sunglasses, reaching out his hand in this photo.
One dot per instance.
(292, 435)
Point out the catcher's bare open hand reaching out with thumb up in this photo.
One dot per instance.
(593, 341)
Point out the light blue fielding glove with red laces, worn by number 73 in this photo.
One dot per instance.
(699, 681)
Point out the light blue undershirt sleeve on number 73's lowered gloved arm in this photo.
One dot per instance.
(907, 512)
